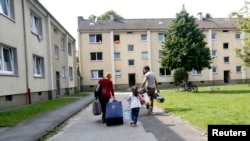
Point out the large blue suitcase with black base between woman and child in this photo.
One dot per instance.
(114, 113)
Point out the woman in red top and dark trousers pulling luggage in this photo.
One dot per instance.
(106, 94)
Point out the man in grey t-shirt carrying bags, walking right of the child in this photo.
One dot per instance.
(151, 86)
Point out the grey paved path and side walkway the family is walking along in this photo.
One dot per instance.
(159, 126)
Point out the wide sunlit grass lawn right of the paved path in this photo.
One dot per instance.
(229, 105)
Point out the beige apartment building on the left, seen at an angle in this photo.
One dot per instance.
(37, 55)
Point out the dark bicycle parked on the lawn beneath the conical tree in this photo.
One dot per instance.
(189, 87)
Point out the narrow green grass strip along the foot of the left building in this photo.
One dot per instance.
(16, 116)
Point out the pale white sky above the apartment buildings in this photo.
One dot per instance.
(67, 11)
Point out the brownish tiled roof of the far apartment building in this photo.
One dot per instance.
(151, 24)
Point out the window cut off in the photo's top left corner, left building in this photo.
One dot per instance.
(7, 8)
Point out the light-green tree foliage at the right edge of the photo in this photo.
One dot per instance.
(243, 21)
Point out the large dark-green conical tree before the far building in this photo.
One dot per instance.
(184, 46)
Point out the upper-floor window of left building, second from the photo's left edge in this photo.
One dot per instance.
(36, 26)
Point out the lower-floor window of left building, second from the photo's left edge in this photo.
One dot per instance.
(38, 66)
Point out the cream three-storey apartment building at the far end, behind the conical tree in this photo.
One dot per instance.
(123, 47)
